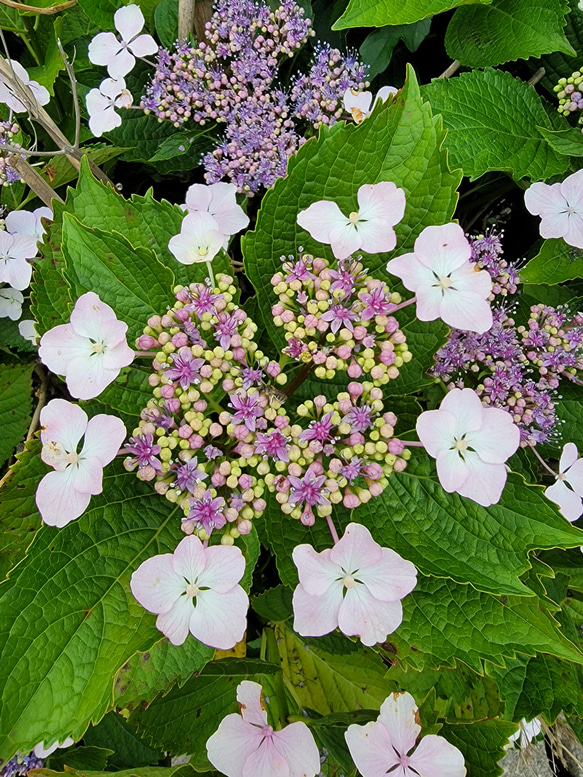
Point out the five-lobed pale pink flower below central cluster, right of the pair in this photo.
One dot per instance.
(356, 586)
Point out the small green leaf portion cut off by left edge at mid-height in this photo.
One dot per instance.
(15, 406)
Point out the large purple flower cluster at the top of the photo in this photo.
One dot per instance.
(229, 78)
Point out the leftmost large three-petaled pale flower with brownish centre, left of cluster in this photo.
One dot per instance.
(64, 495)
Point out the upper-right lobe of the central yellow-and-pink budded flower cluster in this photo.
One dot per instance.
(339, 320)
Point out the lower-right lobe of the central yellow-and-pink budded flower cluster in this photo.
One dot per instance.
(343, 455)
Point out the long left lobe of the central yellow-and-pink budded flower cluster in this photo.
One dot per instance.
(201, 454)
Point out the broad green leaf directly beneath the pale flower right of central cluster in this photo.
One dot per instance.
(446, 535)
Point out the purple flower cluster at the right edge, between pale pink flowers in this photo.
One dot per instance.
(518, 368)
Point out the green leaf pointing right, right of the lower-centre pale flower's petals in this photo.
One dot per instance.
(445, 623)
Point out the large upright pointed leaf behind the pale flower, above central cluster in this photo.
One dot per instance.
(400, 142)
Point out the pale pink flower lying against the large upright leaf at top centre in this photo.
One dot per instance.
(369, 229)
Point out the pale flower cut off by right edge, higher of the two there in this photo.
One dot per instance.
(560, 207)
